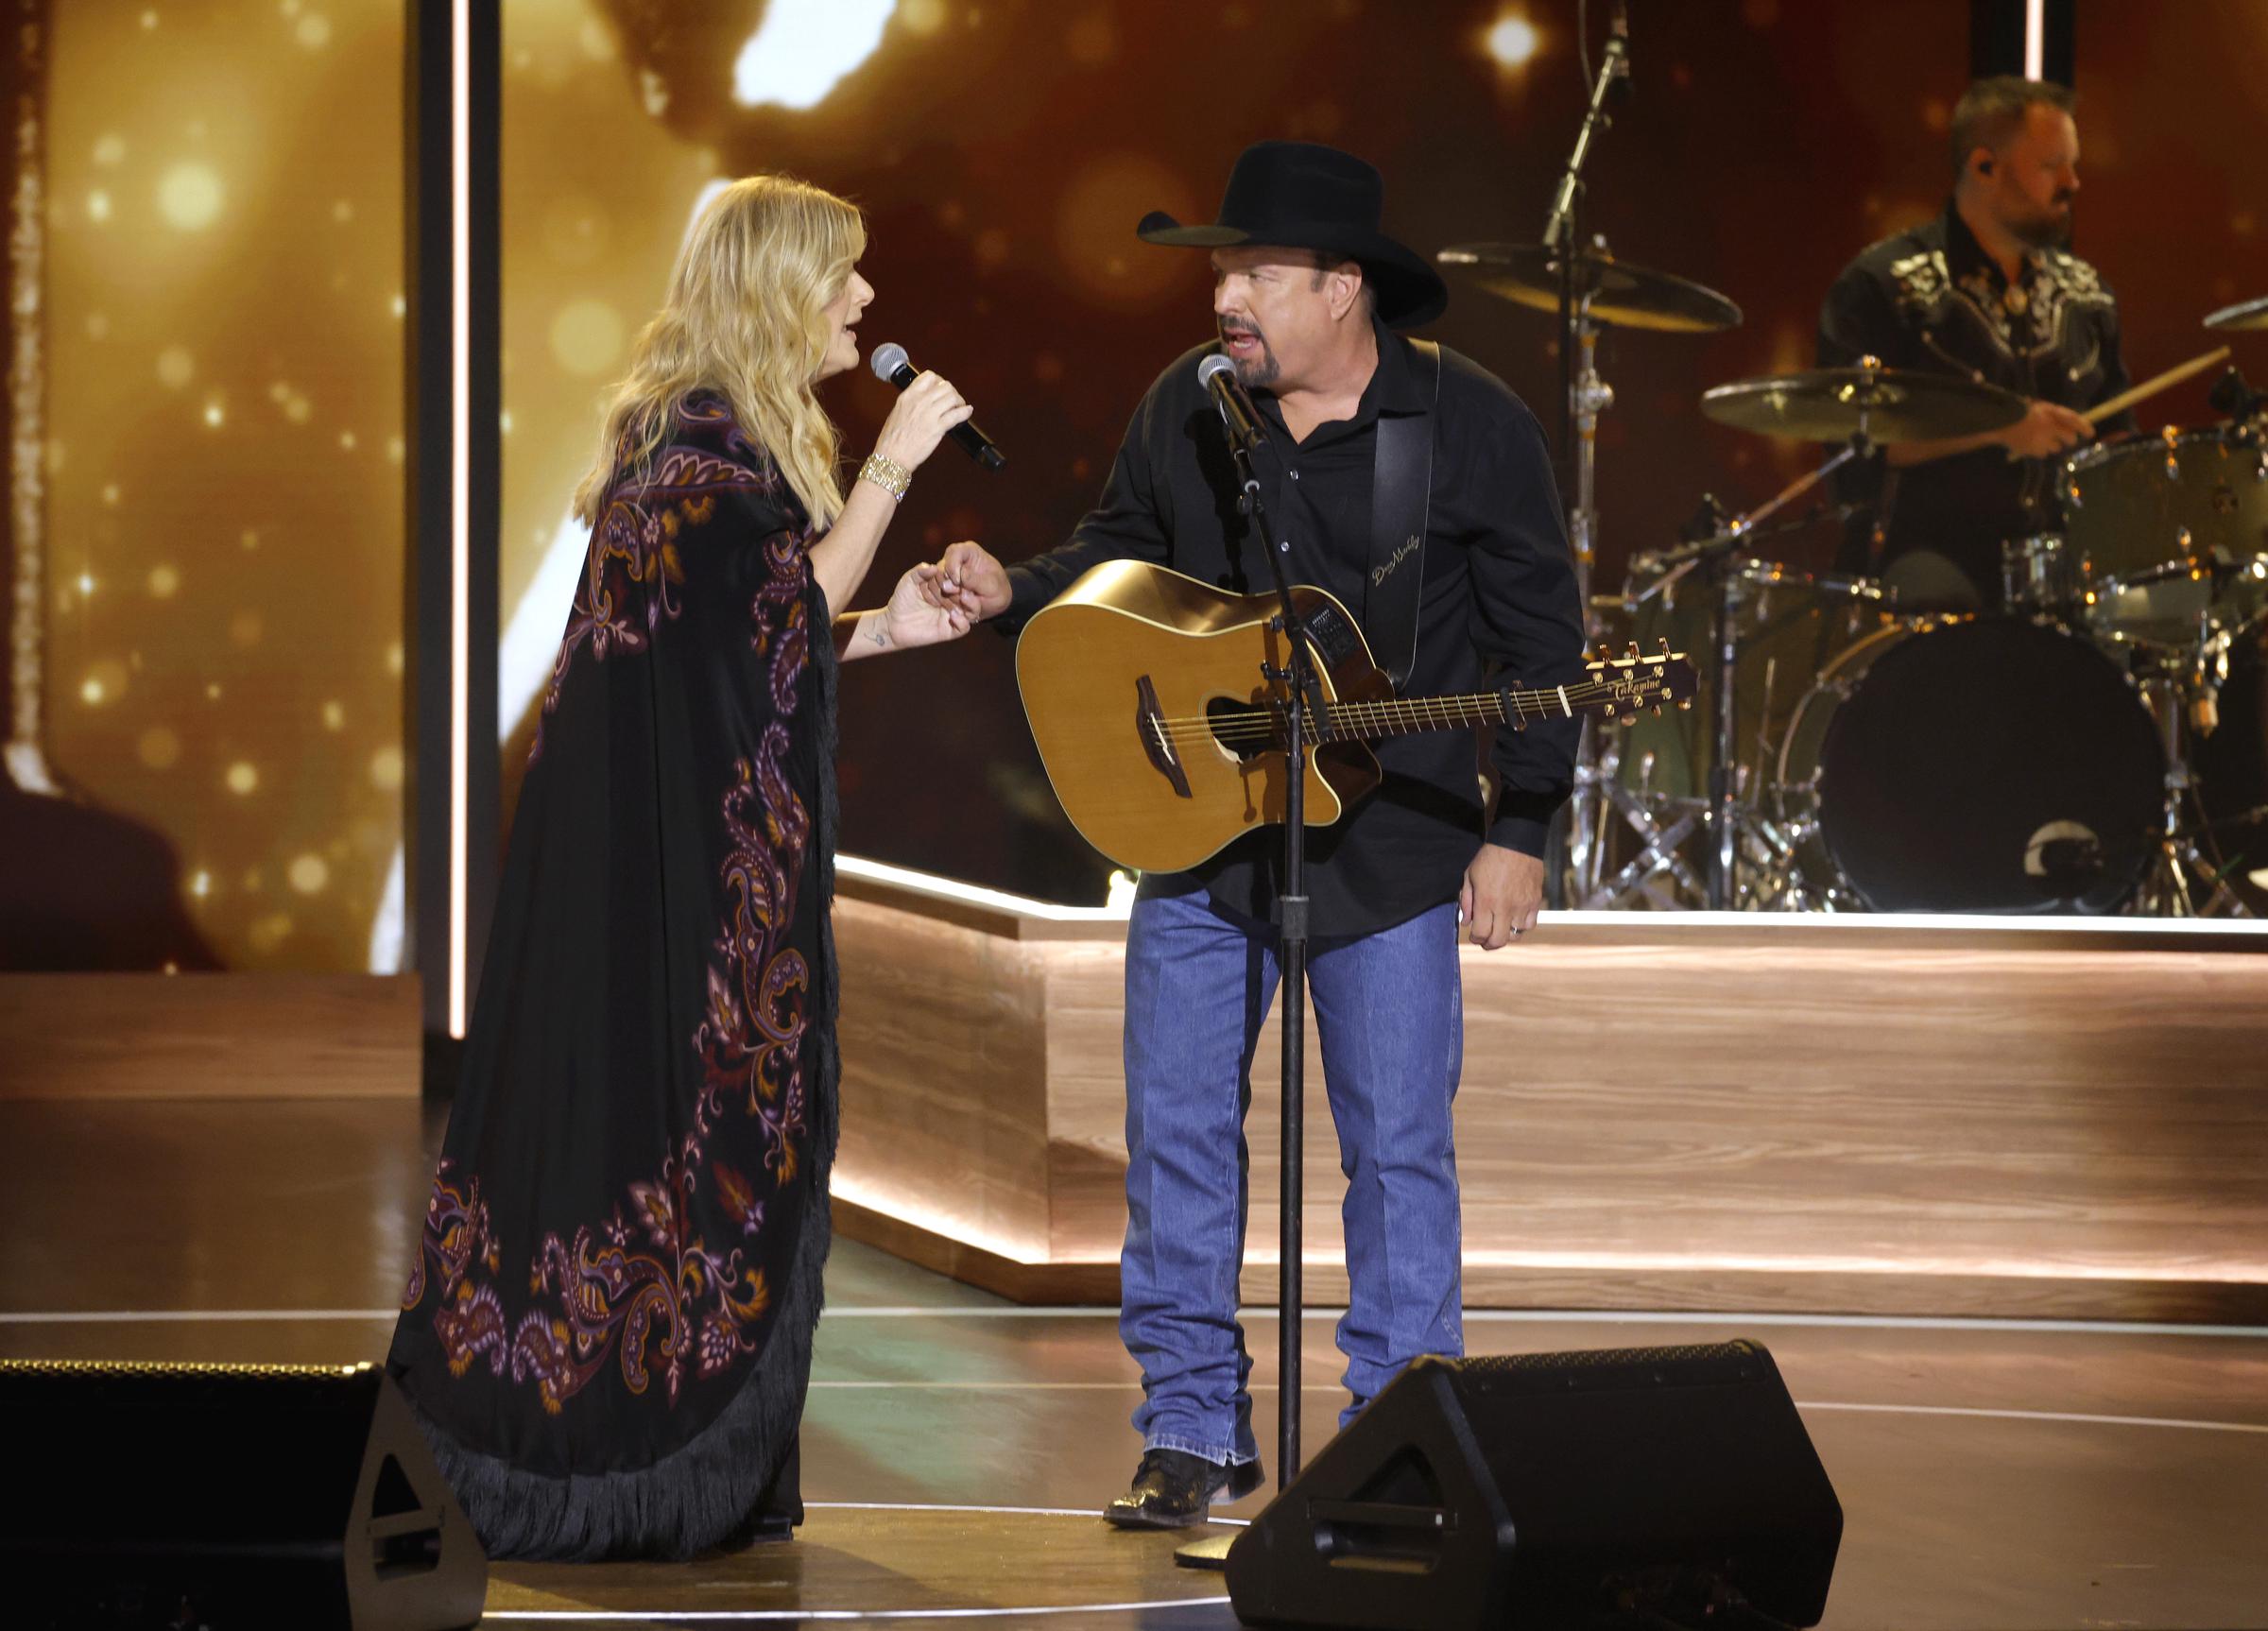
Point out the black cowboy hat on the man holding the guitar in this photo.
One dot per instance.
(1305, 196)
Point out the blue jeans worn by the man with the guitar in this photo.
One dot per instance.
(1389, 1011)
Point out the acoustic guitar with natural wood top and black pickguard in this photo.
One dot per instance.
(1162, 732)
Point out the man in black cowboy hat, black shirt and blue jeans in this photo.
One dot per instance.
(1419, 491)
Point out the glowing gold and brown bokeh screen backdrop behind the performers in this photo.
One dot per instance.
(226, 326)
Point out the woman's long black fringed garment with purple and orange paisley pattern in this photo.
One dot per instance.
(609, 1326)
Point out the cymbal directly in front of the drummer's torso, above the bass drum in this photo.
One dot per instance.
(1829, 405)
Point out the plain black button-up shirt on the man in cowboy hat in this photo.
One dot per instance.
(1498, 589)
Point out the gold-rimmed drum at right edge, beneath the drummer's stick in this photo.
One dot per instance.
(2144, 521)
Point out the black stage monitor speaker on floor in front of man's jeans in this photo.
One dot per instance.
(1586, 1489)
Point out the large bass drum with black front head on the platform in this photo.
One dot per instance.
(1979, 766)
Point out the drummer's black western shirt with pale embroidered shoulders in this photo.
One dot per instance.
(1938, 303)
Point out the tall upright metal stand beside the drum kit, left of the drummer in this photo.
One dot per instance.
(1584, 396)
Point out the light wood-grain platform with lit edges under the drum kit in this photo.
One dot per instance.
(1659, 1110)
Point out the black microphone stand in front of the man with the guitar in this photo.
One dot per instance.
(1303, 718)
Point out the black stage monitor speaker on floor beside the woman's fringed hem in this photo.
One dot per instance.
(228, 1496)
